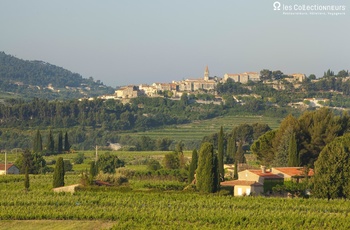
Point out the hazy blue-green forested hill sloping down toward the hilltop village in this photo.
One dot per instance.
(28, 79)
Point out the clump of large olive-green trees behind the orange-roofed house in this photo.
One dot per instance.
(313, 130)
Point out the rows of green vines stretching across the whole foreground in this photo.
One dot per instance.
(133, 208)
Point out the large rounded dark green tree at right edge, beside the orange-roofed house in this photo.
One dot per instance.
(332, 170)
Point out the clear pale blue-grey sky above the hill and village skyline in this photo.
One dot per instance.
(122, 42)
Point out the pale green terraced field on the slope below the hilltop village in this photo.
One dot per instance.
(195, 131)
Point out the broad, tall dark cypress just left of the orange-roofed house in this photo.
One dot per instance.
(207, 169)
